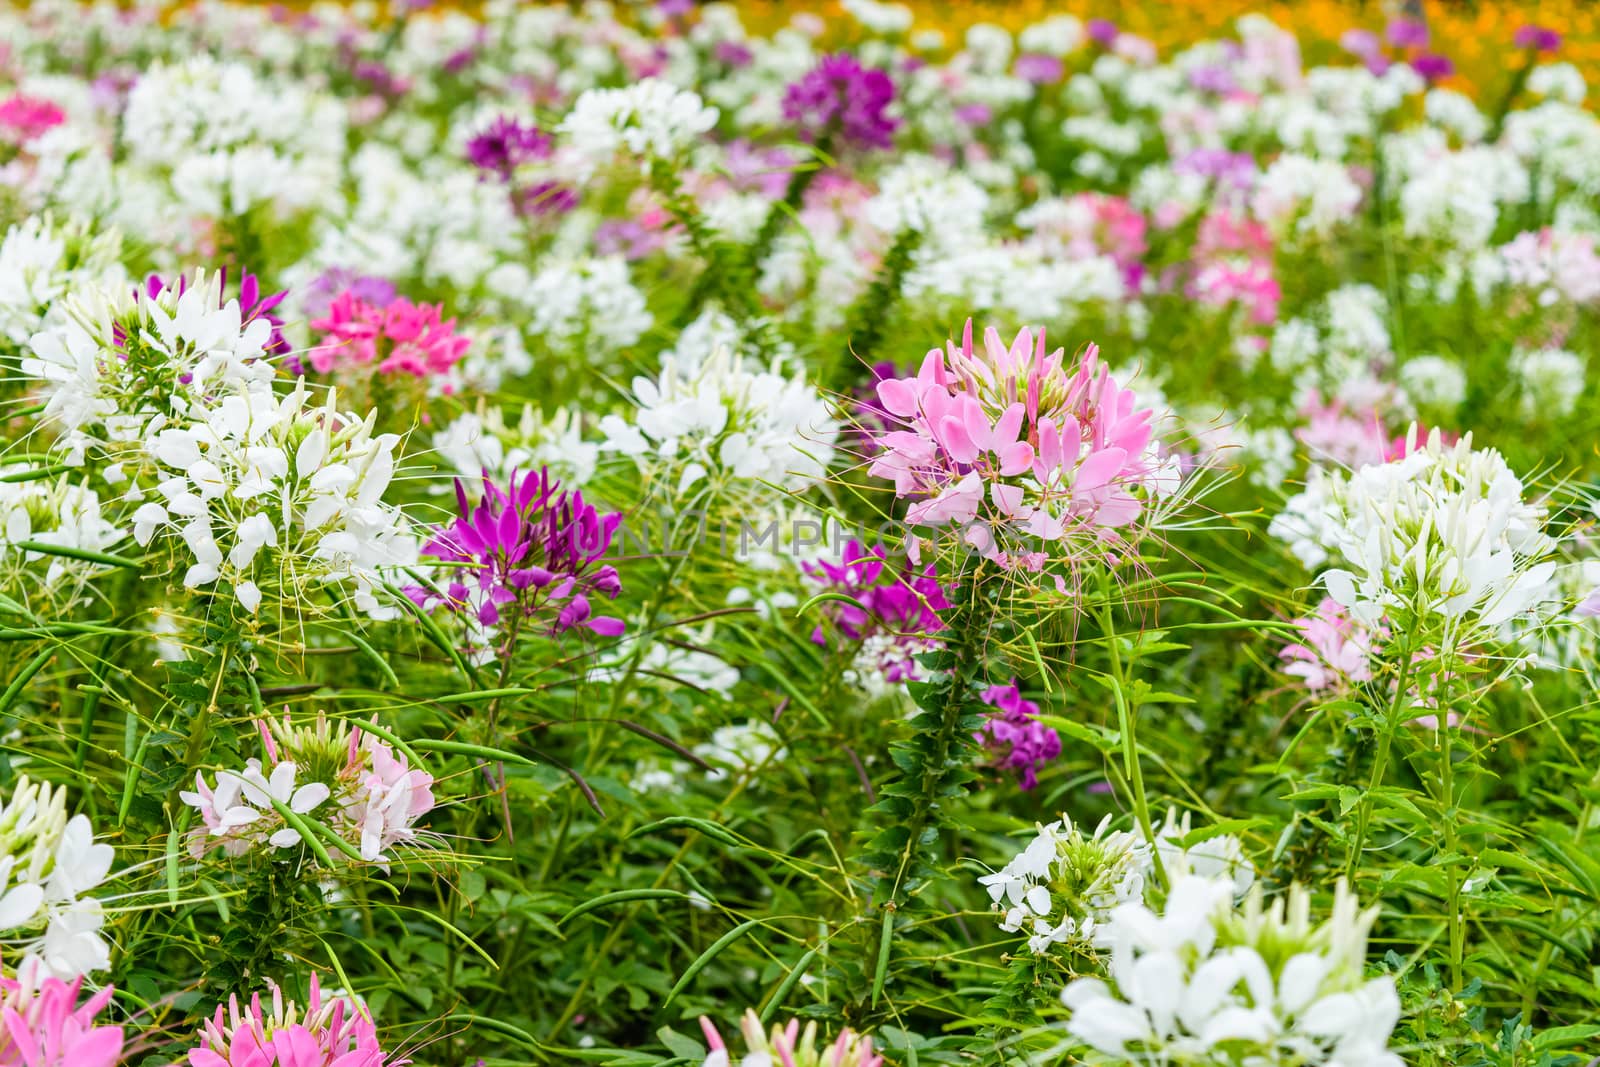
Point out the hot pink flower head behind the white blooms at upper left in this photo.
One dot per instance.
(401, 337)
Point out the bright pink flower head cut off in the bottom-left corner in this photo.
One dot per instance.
(42, 1025)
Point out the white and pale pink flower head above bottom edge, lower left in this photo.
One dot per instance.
(377, 797)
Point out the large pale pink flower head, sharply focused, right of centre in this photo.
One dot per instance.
(1023, 450)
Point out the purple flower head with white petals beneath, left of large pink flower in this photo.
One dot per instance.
(892, 617)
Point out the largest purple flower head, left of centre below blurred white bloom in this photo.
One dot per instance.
(527, 551)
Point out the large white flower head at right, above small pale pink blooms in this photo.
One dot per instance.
(1441, 535)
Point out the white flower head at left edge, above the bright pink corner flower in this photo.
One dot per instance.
(49, 865)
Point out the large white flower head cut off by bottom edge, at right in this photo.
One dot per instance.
(1206, 981)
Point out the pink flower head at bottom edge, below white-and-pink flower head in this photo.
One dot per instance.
(329, 1033)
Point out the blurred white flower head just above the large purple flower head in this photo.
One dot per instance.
(482, 441)
